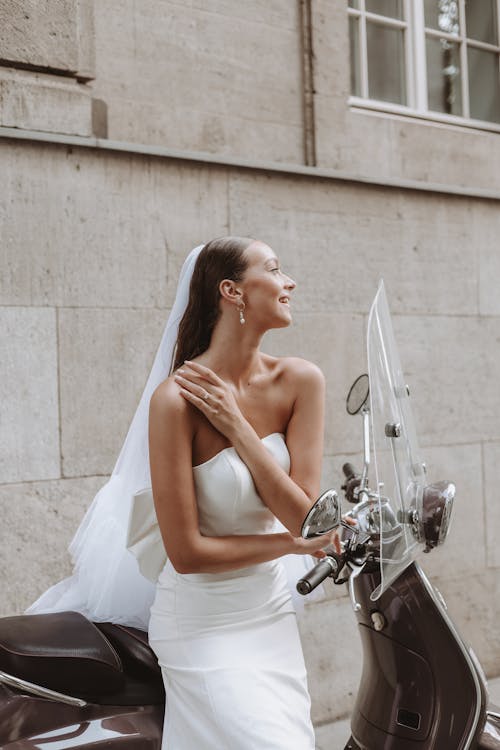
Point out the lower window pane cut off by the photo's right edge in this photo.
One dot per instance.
(484, 85)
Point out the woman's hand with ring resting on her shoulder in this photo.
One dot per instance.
(211, 395)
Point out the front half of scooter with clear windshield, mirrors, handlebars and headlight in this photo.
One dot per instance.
(421, 687)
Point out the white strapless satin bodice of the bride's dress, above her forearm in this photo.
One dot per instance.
(227, 499)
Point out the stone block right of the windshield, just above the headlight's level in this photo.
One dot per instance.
(450, 364)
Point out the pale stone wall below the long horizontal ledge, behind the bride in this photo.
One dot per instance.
(83, 304)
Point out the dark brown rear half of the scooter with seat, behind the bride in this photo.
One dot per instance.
(106, 682)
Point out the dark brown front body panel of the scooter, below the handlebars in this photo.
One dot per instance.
(421, 687)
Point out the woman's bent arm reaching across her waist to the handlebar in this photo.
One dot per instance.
(170, 454)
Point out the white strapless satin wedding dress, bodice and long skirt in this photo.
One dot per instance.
(228, 643)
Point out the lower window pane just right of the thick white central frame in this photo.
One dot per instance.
(444, 80)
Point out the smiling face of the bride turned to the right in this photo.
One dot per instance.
(266, 288)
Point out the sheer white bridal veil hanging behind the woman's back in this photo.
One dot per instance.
(106, 584)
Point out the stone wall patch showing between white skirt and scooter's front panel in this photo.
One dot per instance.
(333, 656)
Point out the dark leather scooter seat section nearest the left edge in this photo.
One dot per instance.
(63, 651)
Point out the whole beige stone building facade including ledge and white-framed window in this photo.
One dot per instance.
(359, 139)
